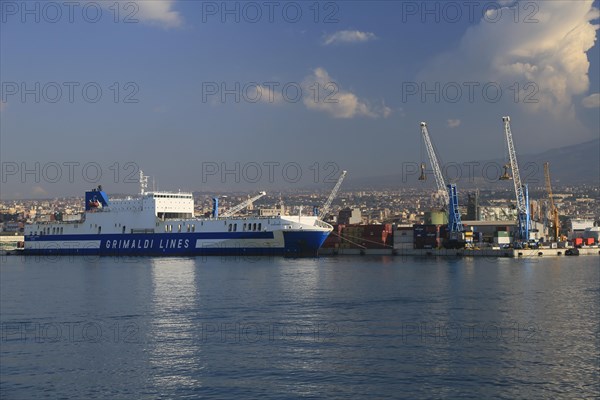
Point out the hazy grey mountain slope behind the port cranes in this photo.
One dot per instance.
(570, 165)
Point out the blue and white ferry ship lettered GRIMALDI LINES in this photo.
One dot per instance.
(163, 223)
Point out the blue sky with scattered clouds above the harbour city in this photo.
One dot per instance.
(376, 56)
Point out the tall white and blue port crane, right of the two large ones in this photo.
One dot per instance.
(521, 191)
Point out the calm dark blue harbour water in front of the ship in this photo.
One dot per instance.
(347, 327)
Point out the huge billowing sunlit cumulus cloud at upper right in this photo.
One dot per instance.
(551, 53)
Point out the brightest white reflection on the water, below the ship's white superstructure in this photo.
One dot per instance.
(175, 340)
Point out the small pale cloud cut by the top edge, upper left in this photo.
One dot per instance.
(157, 12)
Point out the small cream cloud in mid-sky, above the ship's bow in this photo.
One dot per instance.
(323, 93)
